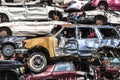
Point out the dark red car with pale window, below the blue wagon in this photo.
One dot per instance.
(58, 71)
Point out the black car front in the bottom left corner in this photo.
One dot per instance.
(11, 70)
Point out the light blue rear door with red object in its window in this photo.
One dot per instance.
(88, 40)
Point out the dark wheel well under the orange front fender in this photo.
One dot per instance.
(42, 49)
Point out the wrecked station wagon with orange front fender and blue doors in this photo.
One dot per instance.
(66, 42)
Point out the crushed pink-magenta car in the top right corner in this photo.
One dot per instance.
(106, 4)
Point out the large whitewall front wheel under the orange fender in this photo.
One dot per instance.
(37, 62)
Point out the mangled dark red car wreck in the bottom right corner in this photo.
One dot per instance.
(105, 70)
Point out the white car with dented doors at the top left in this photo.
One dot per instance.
(11, 10)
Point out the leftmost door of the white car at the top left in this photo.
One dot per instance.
(14, 10)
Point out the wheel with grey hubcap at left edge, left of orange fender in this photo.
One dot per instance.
(8, 50)
